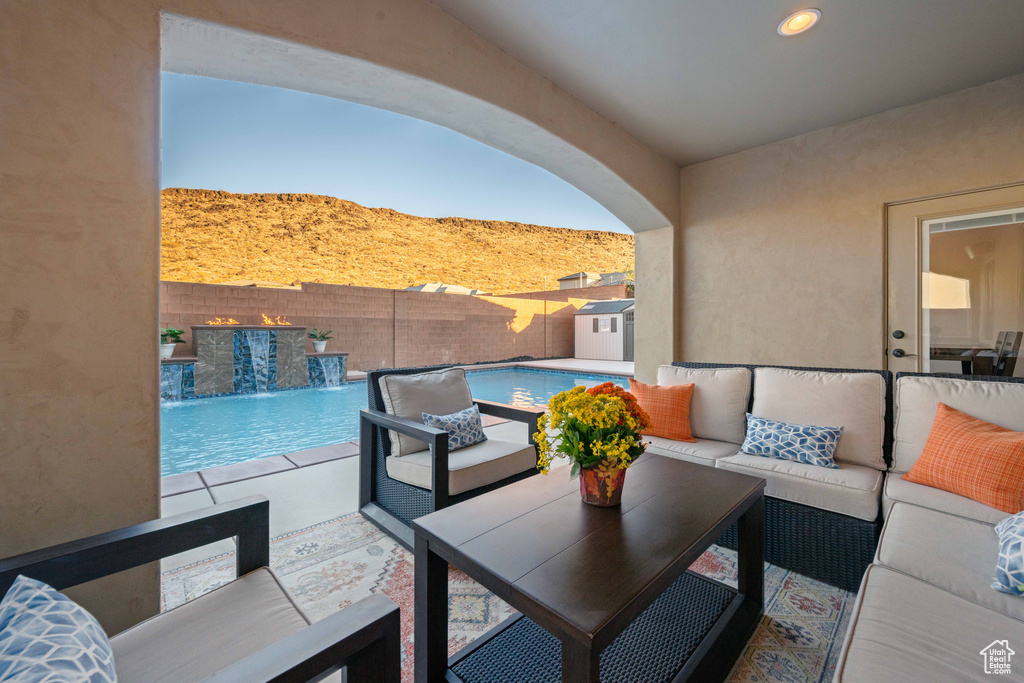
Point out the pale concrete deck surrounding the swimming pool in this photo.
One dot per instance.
(308, 488)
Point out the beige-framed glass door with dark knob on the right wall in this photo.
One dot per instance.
(955, 284)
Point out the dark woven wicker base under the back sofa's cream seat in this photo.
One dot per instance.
(819, 544)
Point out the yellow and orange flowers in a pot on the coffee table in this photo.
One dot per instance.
(600, 432)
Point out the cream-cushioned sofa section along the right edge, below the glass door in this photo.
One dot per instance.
(926, 610)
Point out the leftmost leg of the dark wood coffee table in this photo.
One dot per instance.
(431, 659)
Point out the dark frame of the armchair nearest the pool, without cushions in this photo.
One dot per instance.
(393, 505)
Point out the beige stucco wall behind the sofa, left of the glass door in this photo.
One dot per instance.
(782, 249)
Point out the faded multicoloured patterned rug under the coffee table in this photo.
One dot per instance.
(334, 565)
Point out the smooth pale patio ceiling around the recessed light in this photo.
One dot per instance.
(699, 80)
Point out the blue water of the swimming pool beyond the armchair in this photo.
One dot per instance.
(202, 434)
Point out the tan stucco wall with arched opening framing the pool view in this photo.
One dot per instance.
(79, 228)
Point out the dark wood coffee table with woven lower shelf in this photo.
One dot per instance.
(611, 585)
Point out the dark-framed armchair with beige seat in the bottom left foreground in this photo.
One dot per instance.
(248, 631)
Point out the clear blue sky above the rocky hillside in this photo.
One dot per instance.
(250, 139)
